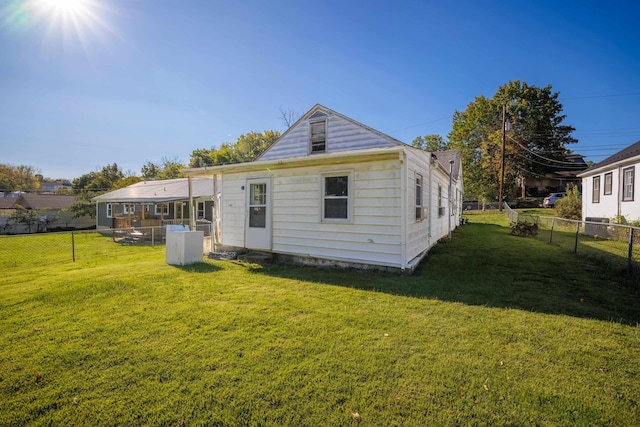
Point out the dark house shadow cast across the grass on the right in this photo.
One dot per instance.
(484, 265)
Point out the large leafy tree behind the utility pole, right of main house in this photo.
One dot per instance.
(535, 137)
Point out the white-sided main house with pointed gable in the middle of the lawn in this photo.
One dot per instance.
(333, 191)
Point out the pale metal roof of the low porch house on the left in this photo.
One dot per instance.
(163, 191)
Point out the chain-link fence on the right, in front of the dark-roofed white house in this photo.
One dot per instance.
(616, 247)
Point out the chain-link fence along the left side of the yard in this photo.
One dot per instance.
(42, 249)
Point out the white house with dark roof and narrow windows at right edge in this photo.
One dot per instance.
(609, 188)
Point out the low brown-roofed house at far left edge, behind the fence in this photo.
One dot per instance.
(52, 214)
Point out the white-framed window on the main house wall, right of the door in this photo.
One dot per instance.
(336, 198)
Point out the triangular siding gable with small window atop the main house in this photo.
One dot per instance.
(322, 130)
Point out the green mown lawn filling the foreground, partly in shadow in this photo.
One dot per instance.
(491, 330)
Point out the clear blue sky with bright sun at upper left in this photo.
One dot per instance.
(131, 81)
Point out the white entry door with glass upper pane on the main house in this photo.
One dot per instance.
(258, 218)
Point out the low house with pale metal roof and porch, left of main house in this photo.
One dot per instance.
(155, 203)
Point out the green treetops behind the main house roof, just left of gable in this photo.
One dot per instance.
(245, 149)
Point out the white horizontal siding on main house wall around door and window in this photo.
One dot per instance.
(372, 236)
